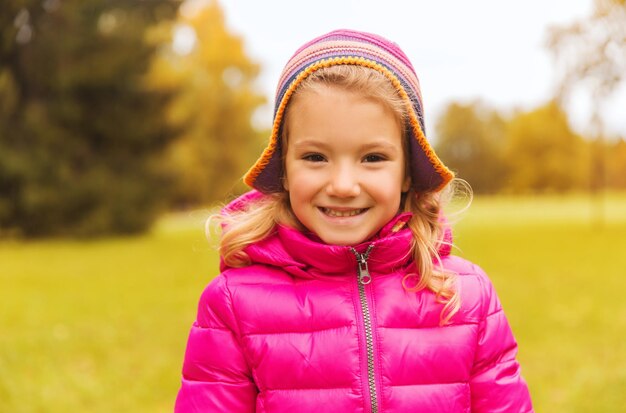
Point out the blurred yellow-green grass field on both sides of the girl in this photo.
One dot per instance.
(101, 326)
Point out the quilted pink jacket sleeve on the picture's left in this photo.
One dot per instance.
(216, 376)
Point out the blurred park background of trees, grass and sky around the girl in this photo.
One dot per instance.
(123, 124)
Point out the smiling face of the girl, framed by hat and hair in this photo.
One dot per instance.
(345, 166)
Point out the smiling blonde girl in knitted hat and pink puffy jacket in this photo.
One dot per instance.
(338, 292)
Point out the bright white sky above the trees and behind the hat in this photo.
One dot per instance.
(462, 50)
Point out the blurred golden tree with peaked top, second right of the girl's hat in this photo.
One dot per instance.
(543, 153)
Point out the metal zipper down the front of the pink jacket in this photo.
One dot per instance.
(365, 278)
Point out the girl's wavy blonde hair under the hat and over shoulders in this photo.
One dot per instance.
(257, 220)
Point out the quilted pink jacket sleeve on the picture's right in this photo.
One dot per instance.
(496, 382)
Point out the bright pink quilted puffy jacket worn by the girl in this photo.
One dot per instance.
(304, 329)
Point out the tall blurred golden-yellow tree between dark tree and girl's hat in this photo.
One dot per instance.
(209, 66)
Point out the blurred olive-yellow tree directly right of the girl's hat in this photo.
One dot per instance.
(470, 140)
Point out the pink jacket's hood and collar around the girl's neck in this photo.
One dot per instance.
(304, 255)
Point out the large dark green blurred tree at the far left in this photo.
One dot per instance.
(80, 133)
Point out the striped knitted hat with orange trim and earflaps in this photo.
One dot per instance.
(348, 47)
